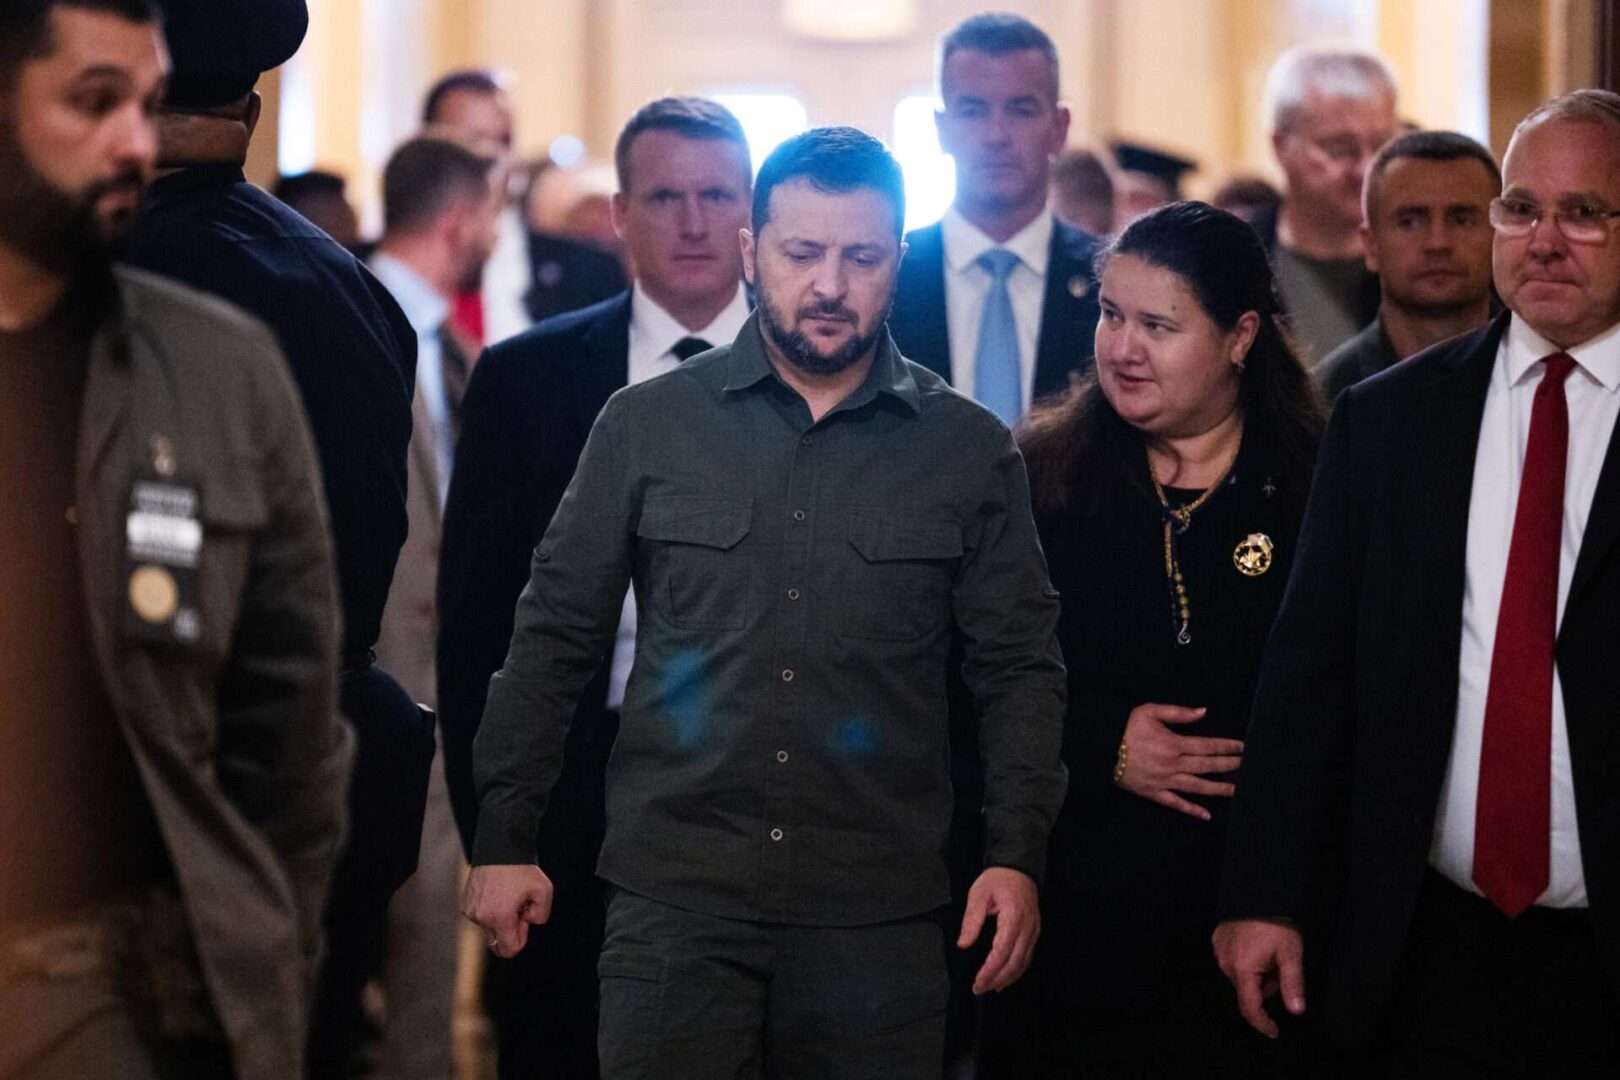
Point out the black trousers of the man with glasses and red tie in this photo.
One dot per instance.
(1481, 995)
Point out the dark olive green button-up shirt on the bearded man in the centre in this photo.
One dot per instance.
(783, 749)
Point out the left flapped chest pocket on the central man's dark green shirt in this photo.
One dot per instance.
(694, 577)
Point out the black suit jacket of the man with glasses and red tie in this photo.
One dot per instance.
(1354, 718)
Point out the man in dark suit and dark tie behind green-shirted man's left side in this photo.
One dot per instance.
(684, 184)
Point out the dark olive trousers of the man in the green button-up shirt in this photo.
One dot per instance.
(696, 997)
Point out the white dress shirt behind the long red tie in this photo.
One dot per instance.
(1593, 396)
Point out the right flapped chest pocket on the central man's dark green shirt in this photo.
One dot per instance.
(900, 580)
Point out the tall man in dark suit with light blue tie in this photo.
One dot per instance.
(999, 296)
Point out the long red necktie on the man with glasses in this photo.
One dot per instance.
(1514, 815)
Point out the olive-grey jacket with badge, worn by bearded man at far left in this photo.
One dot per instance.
(236, 734)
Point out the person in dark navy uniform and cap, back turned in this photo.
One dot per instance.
(354, 357)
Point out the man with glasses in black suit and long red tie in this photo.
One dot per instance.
(1428, 799)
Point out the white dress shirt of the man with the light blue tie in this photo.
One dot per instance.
(968, 284)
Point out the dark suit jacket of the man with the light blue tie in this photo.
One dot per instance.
(1068, 315)
